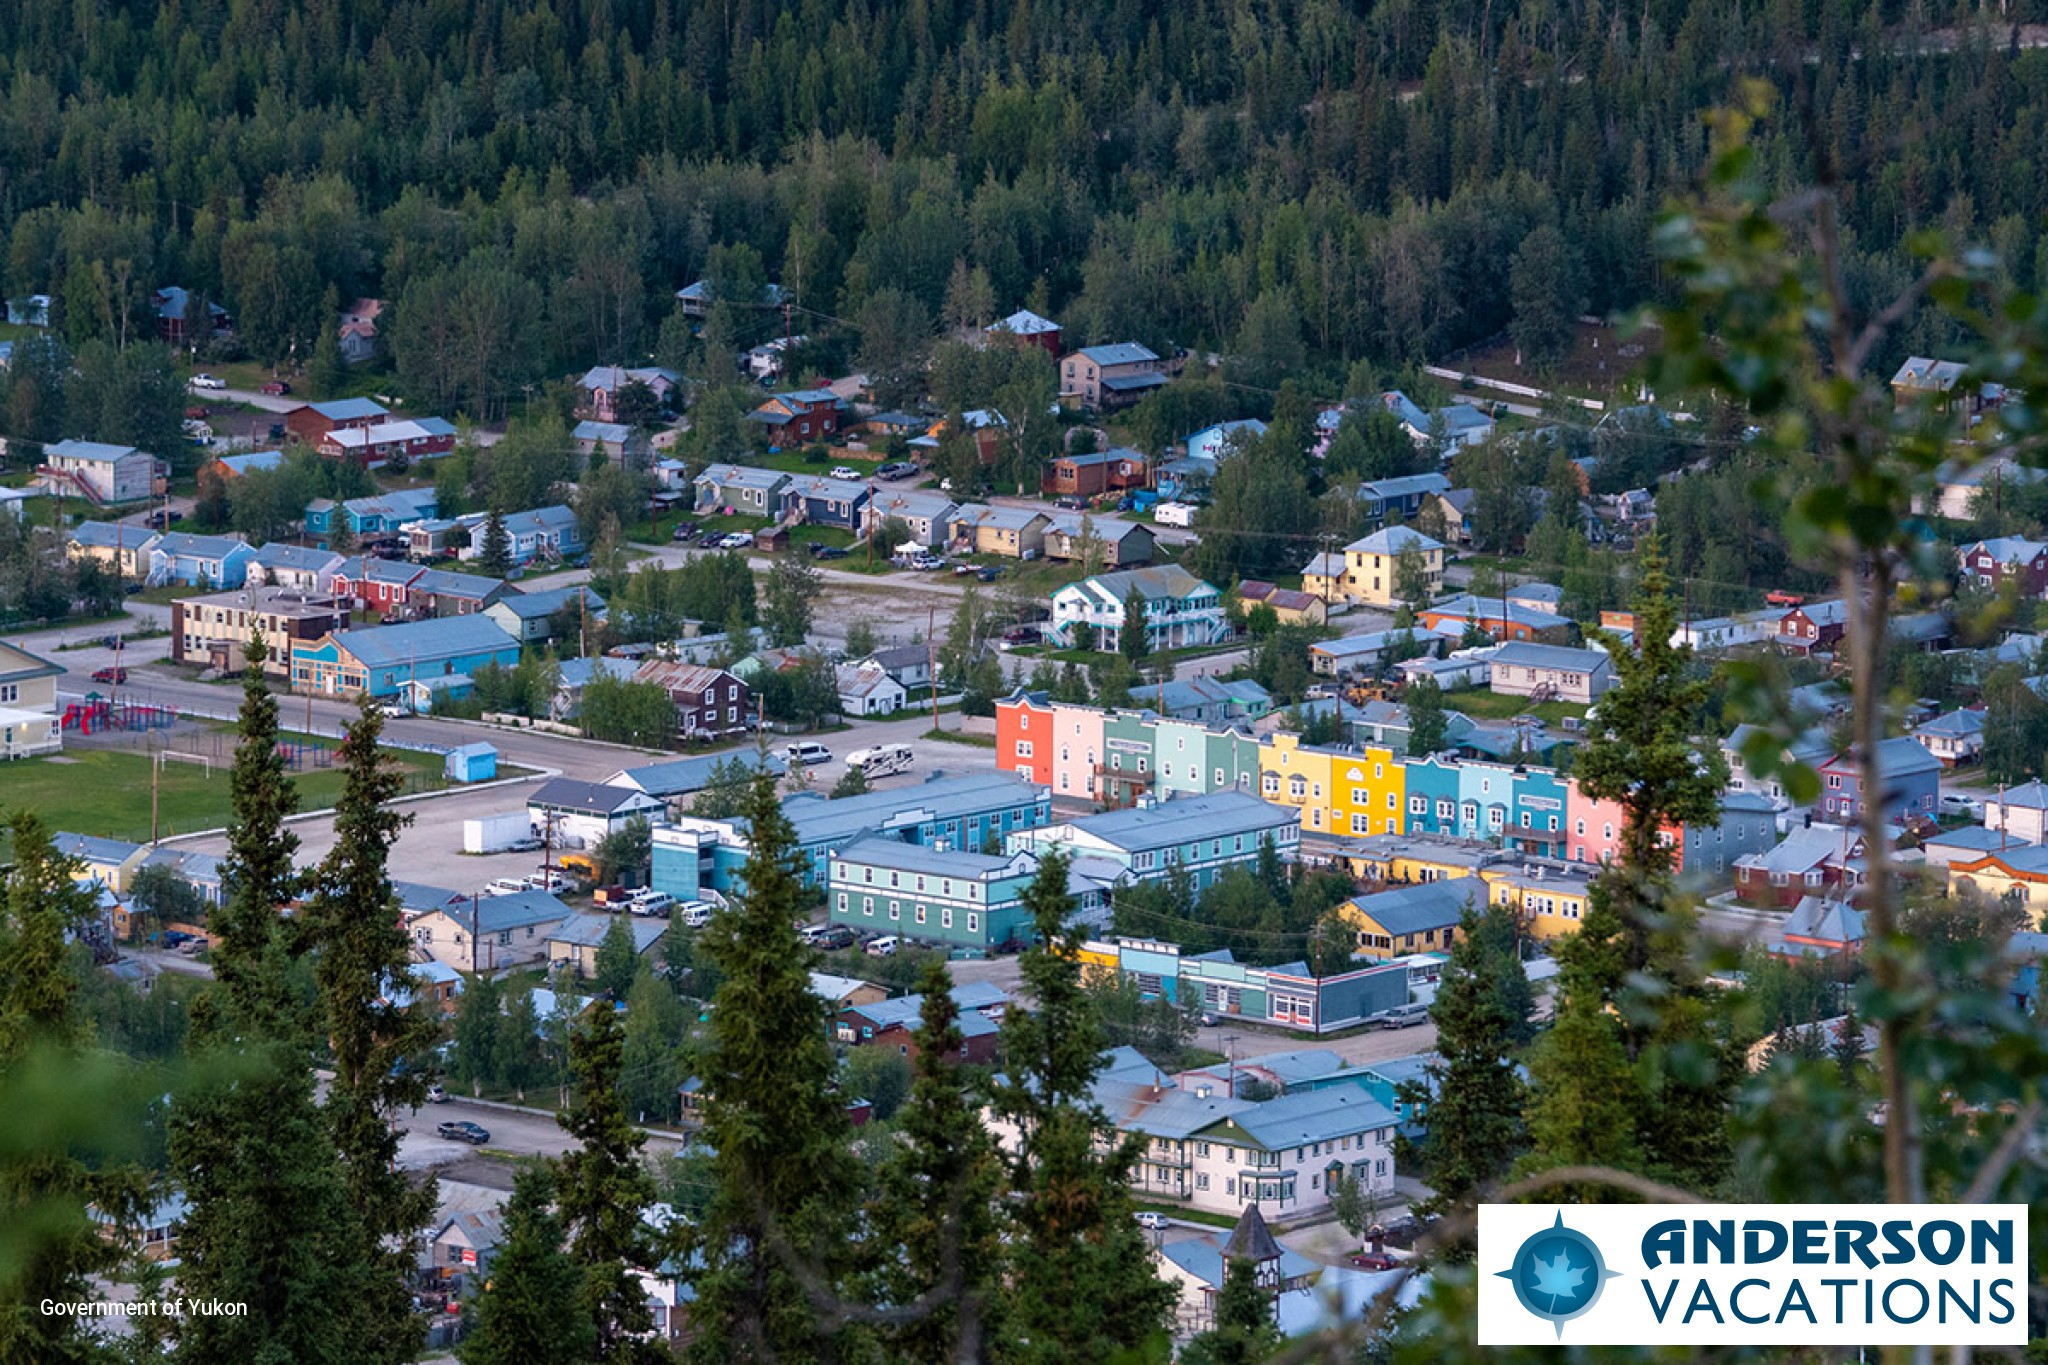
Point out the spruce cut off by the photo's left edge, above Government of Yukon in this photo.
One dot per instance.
(46, 1186)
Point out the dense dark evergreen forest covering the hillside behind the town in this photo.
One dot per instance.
(1306, 181)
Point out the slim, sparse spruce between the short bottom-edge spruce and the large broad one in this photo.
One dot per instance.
(605, 1190)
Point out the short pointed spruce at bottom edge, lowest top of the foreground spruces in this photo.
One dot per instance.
(531, 1311)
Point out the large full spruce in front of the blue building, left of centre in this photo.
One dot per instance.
(777, 1231)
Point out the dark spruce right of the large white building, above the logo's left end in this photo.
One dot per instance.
(1474, 1094)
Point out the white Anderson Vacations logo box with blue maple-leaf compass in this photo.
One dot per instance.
(1752, 1274)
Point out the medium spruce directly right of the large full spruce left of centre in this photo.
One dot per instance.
(937, 1204)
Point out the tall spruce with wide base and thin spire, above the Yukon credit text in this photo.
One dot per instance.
(271, 1225)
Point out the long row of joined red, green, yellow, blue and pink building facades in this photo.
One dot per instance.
(1115, 758)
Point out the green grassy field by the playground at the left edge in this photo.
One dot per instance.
(105, 793)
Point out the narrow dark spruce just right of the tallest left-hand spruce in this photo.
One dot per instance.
(364, 957)
